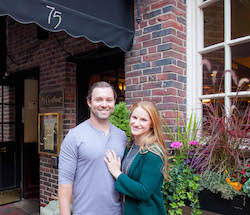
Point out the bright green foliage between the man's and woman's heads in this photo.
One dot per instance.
(120, 118)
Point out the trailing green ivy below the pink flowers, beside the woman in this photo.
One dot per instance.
(181, 188)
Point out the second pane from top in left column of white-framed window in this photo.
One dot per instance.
(213, 72)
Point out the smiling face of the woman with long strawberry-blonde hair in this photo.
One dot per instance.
(140, 122)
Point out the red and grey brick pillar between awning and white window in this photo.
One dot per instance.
(156, 67)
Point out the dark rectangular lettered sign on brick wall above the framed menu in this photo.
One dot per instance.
(52, 99)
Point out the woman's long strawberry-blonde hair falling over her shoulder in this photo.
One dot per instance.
(153, 140)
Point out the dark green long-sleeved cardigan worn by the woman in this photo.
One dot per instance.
(142, 185)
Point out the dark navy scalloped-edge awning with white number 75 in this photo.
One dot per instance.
(107, 21)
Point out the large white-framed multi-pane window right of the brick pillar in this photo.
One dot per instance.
(218, 44)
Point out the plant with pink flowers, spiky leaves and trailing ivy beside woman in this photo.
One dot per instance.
(182, 188)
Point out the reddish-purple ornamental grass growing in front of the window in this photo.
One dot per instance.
(225, 139)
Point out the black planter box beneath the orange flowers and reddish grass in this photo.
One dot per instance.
(213, 202)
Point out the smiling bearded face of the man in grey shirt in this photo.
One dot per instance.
(102, 103)
